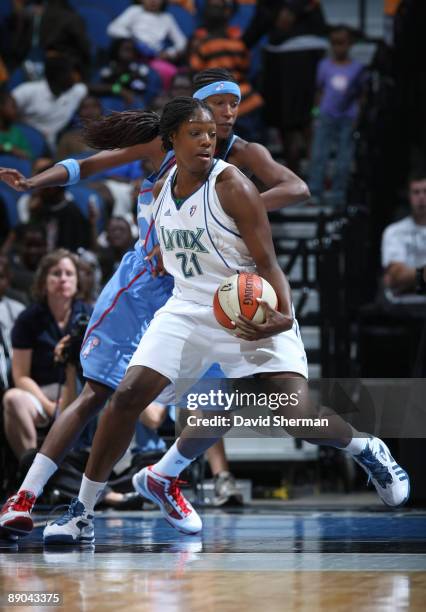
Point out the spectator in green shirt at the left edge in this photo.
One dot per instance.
(12, 140)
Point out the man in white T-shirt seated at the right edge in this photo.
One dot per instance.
(404, 246)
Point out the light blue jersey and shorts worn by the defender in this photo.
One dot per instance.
(131, 297)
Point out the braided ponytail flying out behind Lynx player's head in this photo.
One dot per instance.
(120, 130)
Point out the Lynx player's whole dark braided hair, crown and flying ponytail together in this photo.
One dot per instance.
(128, 128)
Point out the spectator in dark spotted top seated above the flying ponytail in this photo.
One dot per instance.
(127, 76)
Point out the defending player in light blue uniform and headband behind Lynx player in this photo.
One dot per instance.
(129, 300)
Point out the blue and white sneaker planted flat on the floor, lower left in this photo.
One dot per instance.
(76, 526)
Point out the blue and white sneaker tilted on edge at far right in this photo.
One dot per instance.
(391, 481)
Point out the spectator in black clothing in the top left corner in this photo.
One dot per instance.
(38, 27)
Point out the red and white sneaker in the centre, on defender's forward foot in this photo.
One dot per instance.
(164, 491)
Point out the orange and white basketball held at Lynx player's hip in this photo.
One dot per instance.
(238, 294)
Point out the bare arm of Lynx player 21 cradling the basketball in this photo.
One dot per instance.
(241, 201)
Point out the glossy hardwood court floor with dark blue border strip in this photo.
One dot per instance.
(257, 559)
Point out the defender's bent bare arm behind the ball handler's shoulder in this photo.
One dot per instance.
(283, 187)
